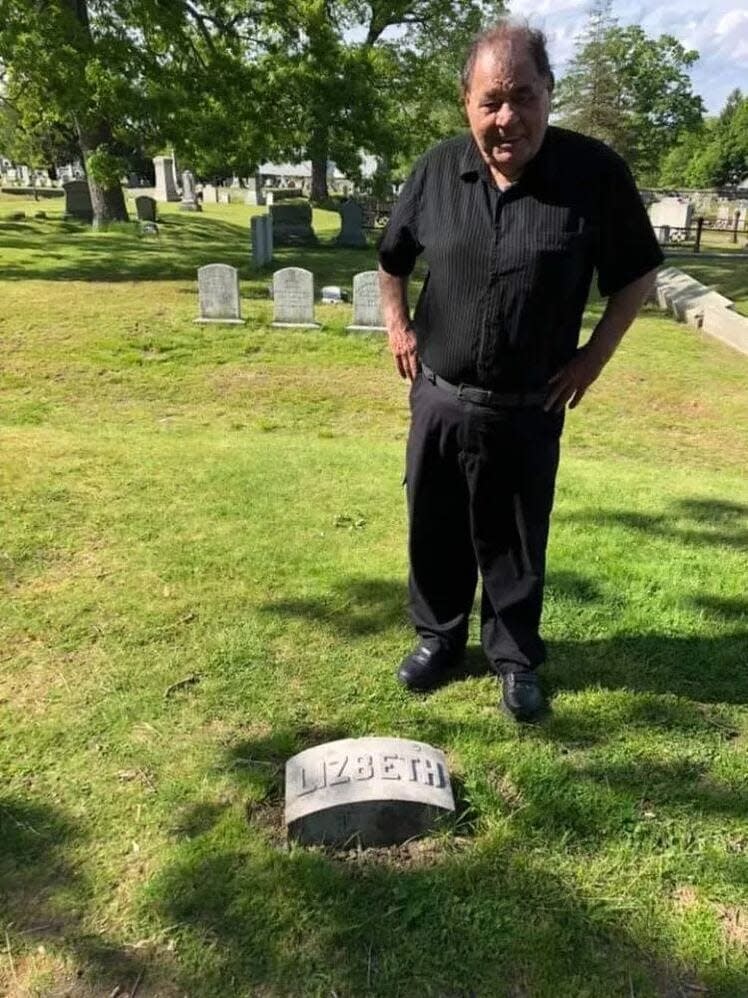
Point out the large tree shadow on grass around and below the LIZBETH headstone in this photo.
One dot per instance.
(456, 918)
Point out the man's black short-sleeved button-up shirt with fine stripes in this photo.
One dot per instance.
(509, 272)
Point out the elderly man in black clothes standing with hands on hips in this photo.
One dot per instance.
(512, 219)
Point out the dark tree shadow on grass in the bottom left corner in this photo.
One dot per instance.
(43, 896)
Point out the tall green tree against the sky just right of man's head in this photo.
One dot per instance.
(642, 99)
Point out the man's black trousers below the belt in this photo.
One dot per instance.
(480, 485)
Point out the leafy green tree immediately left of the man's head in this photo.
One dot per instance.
(378, 93)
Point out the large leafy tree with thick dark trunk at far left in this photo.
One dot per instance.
(112, 71)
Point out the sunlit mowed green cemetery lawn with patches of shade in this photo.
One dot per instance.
(202, 561)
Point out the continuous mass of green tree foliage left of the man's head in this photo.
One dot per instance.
(229, 83)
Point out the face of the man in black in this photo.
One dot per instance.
(507, 106)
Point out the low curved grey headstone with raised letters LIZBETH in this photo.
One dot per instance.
(366, 792)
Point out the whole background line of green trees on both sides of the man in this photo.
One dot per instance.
(228, 84)
